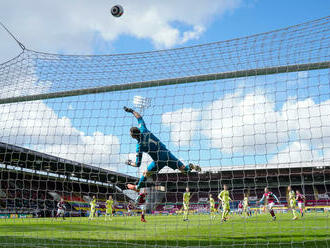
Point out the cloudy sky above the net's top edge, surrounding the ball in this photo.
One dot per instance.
(83, 27)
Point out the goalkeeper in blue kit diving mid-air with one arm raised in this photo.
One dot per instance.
(161, 156)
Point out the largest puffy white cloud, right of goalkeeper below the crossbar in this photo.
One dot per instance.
(247, 125)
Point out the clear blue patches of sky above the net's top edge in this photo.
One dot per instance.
(250, 18)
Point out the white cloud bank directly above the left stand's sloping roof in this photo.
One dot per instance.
(35, 125)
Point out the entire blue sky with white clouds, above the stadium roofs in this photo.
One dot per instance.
(273, 120)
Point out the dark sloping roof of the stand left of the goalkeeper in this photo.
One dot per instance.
(29, 159)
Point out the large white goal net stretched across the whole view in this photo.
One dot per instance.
(253, 112)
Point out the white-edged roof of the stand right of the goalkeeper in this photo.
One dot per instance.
(273, 175)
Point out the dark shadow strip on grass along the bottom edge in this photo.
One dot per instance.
(9, 241)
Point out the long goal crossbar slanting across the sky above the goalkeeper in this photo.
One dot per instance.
(165, 82)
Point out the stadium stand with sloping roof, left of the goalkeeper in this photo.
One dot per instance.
(31, 183)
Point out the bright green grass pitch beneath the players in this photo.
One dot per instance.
(168, 231)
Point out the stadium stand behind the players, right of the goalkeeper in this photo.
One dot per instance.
(312, 179)
